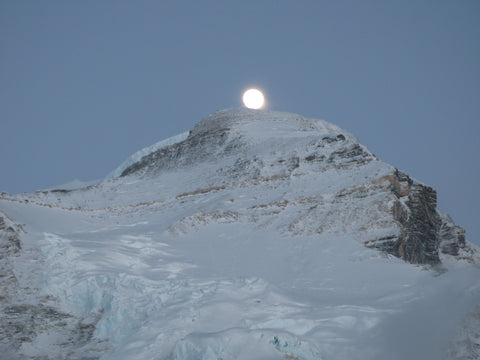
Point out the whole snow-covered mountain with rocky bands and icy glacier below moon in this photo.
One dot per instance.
(260, 235)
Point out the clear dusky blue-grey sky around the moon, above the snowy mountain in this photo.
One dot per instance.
(84, 84)
